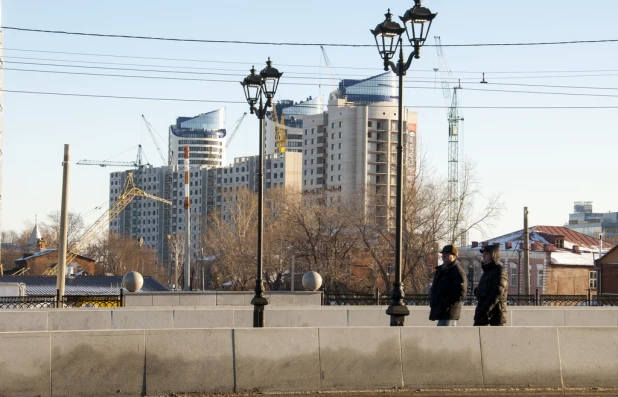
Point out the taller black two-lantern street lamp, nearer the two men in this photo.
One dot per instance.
(388, 38)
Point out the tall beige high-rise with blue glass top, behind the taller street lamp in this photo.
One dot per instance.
(351, 150)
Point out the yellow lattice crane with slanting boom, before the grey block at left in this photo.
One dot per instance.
(129, 192)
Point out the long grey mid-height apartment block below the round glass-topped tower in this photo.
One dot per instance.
(153, 220)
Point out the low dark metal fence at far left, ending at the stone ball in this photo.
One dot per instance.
(67, 301)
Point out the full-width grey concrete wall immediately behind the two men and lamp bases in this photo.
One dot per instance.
(187, 317)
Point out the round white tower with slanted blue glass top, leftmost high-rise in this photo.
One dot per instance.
(205, 136)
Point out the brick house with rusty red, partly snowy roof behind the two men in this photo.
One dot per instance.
(561, 260)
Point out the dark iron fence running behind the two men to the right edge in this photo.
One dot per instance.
(470, 300)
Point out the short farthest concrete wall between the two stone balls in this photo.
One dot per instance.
(221, 298)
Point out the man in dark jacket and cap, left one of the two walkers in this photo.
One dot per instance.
(448, 289)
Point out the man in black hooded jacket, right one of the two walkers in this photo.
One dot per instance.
(492, 289)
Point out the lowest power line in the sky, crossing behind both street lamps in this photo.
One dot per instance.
(394, 105)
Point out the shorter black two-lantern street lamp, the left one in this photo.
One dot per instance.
(256, 87)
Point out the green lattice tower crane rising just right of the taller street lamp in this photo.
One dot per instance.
(453, 143)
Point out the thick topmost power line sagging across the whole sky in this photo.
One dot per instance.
(294, 43)
